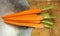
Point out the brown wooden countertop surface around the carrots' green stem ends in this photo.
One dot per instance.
(55, 11)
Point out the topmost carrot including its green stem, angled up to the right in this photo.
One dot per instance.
(31, 11)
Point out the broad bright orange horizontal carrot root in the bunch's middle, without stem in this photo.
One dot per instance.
(26, 18)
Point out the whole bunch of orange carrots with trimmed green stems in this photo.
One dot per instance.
(30, 18)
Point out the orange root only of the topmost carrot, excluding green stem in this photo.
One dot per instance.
(31, 11)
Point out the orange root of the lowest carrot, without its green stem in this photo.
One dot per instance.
(41, 25)
